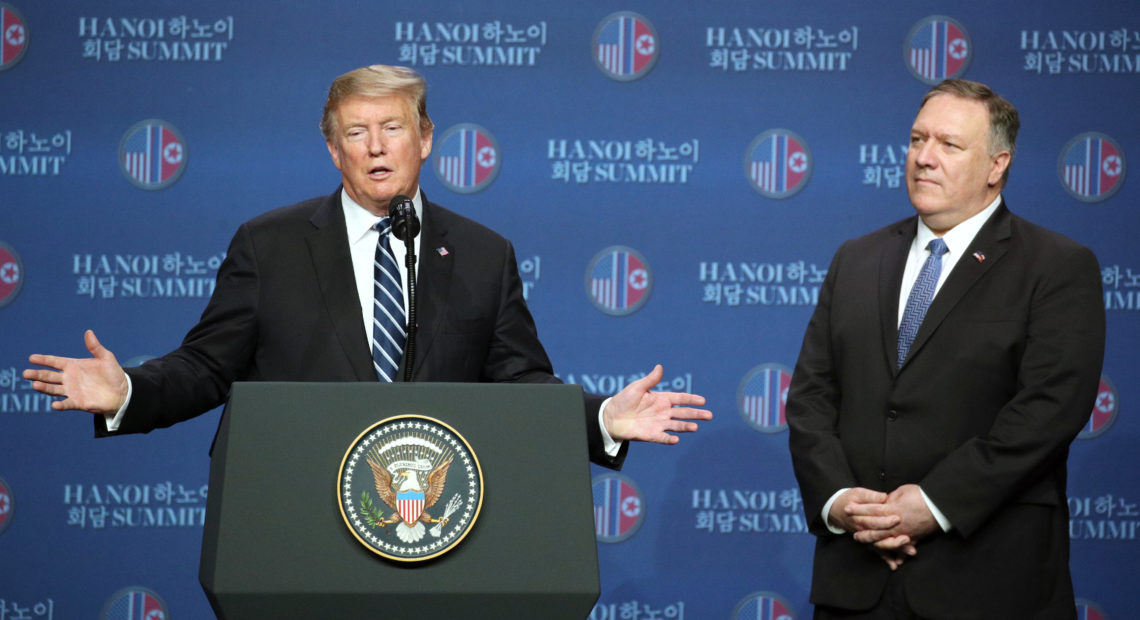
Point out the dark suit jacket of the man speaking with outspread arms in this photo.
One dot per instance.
(287, 308)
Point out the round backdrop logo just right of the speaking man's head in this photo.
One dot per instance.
(468, 159)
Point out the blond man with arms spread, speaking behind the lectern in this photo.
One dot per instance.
(298, 297)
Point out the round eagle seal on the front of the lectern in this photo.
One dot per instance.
(400, 495)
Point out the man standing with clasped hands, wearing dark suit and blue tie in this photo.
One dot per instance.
(931, 451)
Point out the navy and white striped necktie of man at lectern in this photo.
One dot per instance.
(389, 320)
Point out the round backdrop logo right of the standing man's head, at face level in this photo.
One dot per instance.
(1092, 168)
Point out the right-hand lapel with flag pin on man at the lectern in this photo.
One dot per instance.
(434, 281)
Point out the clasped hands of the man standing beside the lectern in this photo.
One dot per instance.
(892, 524)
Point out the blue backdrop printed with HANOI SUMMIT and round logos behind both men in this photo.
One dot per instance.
(675, 177)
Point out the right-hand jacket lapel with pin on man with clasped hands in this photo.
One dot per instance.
(991, 244)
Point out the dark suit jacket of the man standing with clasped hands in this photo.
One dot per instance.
(1000, 379)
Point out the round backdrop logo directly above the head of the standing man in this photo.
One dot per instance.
(938, 48)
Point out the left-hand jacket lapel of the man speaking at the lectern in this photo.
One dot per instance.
(331, 259)
